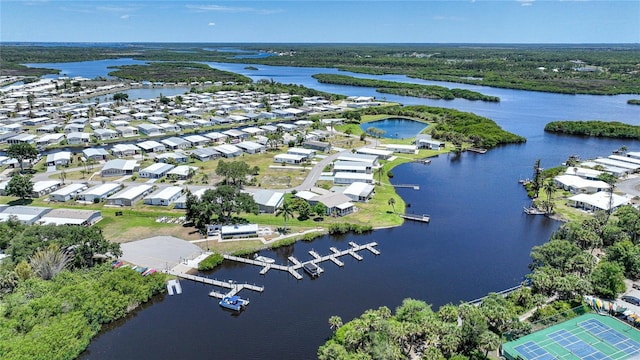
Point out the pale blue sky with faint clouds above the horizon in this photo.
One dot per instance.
(417, 21)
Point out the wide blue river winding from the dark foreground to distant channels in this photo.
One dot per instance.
(478, 240)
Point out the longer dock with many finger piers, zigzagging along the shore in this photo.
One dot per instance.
(317, 259)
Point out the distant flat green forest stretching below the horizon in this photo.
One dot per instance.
(550, 68)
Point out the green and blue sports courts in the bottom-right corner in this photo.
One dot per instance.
(587, 337)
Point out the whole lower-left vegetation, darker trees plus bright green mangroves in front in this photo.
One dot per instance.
(56, 293)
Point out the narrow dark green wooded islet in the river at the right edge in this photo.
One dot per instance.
(613, 129)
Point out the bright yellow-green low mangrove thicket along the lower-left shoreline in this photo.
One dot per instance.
(56, 319)
